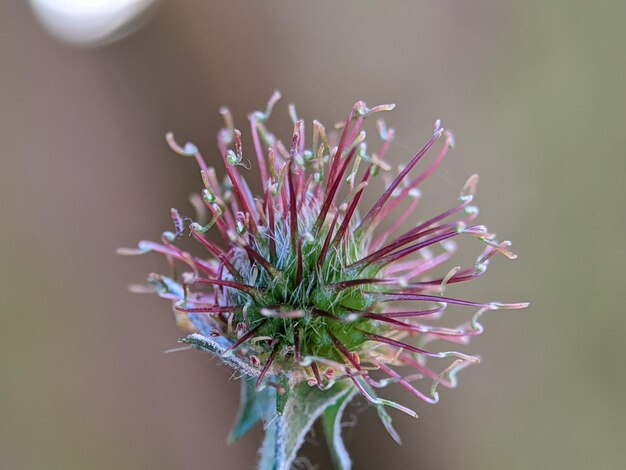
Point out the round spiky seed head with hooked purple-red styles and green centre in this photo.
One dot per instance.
(303, 291)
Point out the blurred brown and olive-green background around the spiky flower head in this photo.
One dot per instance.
(534, 92)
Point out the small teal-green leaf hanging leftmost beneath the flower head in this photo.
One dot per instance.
(254, 406)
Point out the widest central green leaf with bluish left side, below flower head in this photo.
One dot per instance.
(285, 433)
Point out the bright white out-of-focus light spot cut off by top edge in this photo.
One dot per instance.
(90, 22)
